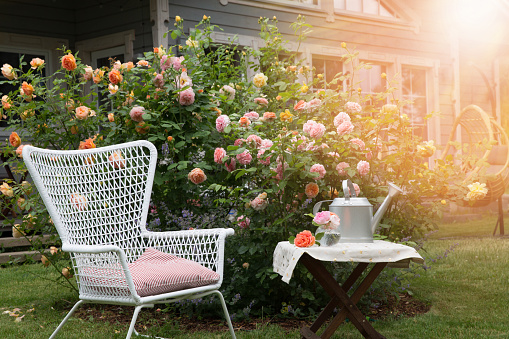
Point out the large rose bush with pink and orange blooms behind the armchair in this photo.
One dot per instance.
(253, 153)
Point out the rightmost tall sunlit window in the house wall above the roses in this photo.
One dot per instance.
(413, 88)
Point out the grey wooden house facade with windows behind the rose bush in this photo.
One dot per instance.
(442, 52)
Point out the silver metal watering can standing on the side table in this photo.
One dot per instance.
(357, 223)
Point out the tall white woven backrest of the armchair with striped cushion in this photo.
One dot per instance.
(98, 196)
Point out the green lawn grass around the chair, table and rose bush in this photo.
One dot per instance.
(468, 291)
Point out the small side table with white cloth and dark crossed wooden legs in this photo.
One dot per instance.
(380, 253)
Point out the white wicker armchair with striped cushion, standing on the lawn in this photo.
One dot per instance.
(99, 200)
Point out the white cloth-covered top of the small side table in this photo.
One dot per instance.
(287, 255)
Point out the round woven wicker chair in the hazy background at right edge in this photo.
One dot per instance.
(483, 141)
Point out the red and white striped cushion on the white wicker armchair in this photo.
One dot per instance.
(156, 272)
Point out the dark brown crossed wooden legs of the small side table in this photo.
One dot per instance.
(339, 297)
